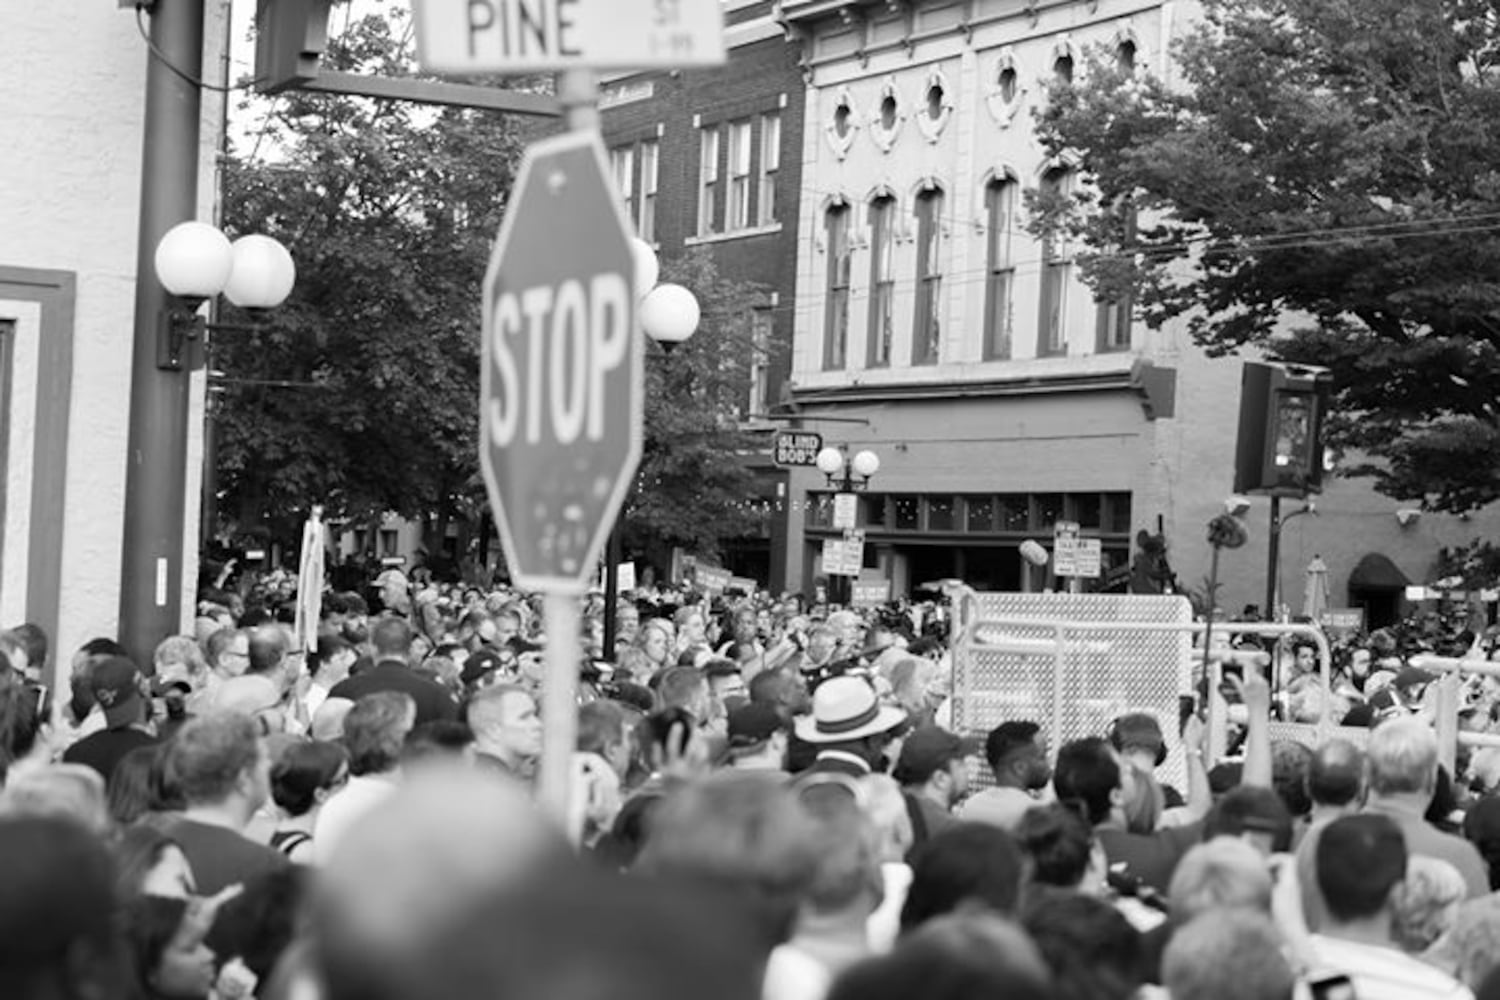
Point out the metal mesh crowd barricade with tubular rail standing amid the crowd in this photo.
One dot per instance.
(1073, 663)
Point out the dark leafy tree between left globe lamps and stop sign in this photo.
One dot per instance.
(389, 211)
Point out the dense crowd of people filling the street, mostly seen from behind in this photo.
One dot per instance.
(769, 801)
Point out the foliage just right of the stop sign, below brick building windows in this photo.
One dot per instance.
(694, 482)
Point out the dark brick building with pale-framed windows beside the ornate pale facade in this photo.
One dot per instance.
(713, 158)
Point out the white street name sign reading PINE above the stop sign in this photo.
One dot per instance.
(515, 37)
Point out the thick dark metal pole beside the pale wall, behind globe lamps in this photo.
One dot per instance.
(157, 464)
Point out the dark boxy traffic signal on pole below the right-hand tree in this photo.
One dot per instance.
(1282, 412)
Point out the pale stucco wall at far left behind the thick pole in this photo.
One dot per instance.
(73, 104)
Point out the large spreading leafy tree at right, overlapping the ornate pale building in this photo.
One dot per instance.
(1324, 182)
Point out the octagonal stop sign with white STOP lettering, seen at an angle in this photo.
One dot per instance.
(562, 379)
